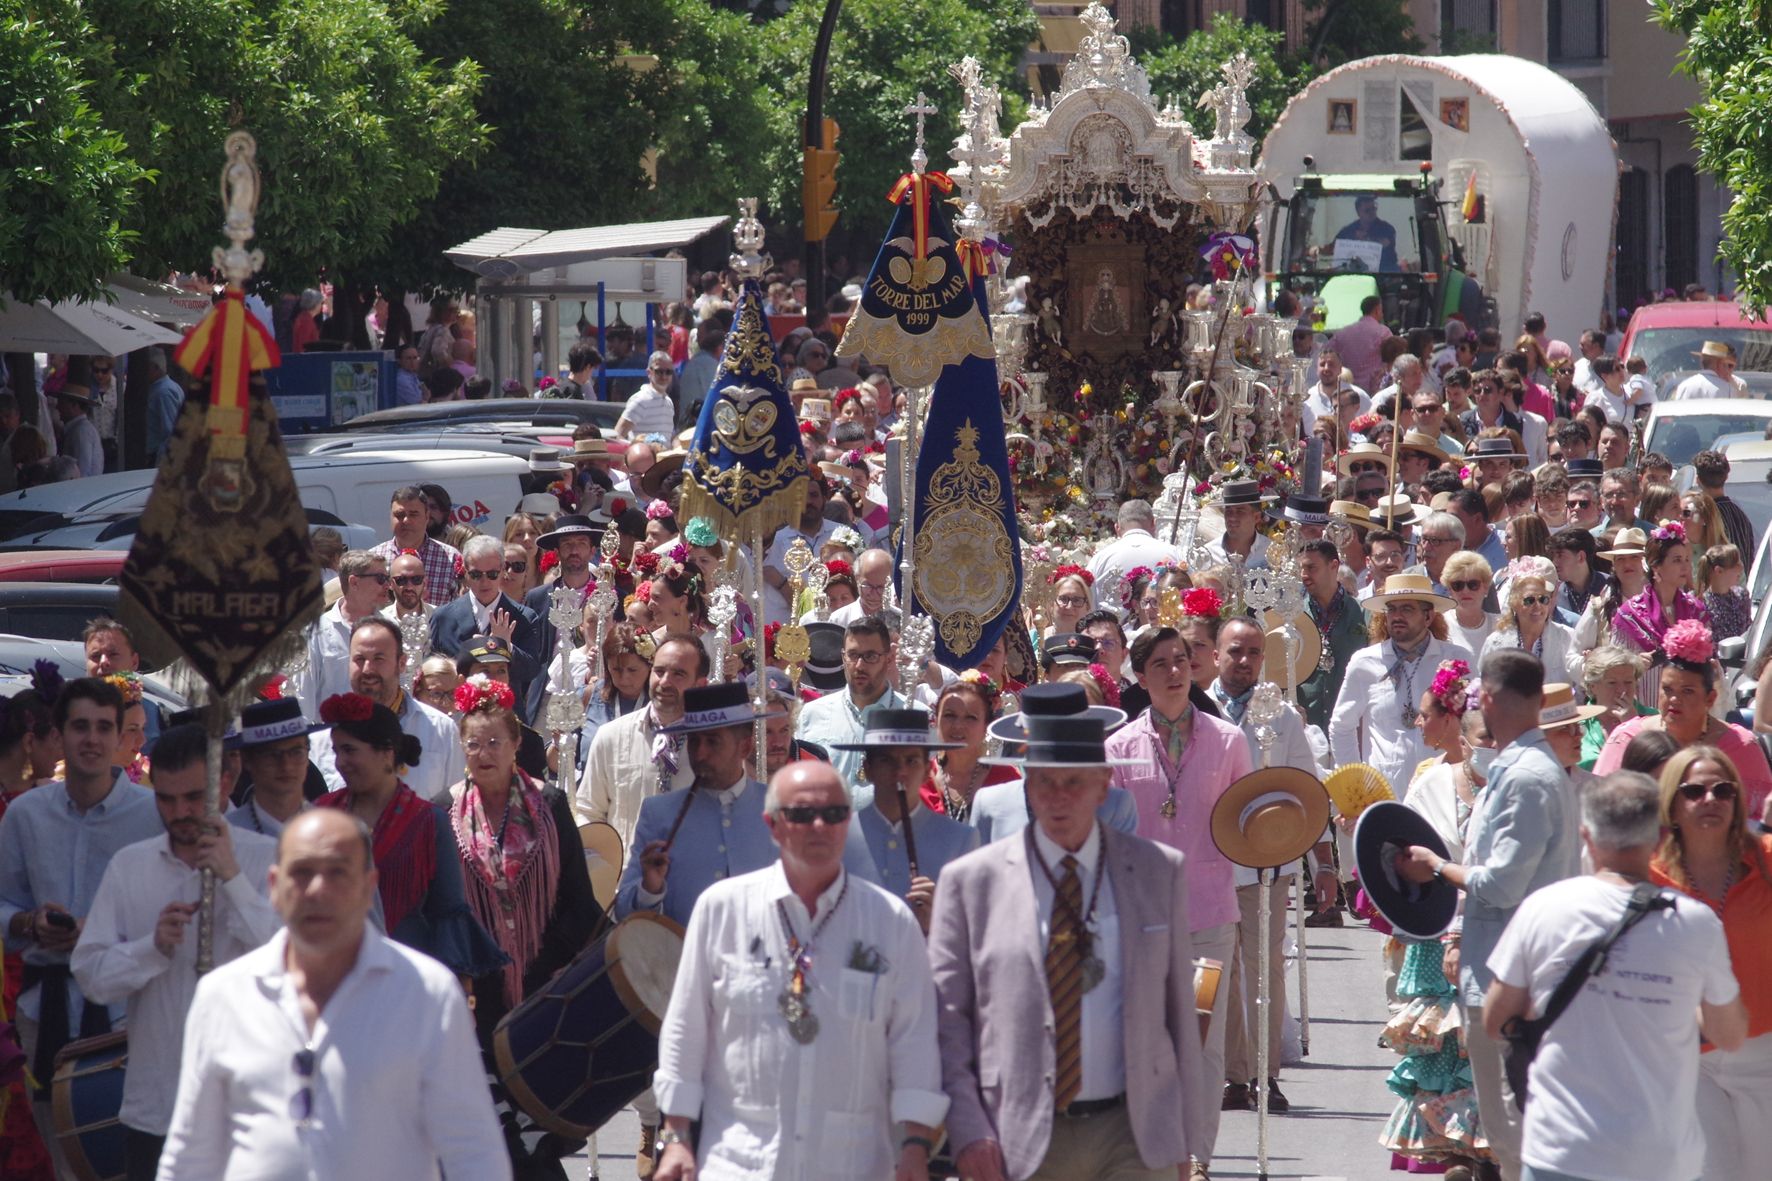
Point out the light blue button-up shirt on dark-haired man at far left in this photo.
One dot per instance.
(52, 852)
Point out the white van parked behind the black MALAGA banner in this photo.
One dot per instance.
(357, 489)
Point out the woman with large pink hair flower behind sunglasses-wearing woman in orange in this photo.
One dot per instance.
(1690, 680)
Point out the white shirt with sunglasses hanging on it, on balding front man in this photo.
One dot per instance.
(400, 1088)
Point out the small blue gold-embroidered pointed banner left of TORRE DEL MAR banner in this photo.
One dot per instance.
(747, 469)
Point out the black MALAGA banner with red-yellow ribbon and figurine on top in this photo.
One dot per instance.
(222, 568)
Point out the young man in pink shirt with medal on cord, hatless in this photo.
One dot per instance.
(1185, 762)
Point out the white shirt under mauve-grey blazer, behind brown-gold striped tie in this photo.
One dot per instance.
(1103, 1044)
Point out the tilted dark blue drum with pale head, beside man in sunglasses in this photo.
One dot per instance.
(582, 1049)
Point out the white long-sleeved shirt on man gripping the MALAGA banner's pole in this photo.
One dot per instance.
(116, 958)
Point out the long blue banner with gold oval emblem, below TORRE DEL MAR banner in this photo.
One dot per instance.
(965, 542)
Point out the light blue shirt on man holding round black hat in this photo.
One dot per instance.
(1525, 836)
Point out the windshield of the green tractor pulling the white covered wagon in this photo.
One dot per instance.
(1358, 231)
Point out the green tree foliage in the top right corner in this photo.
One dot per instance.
(1730, 56)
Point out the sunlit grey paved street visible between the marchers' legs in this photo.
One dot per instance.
(1339, 1099)
